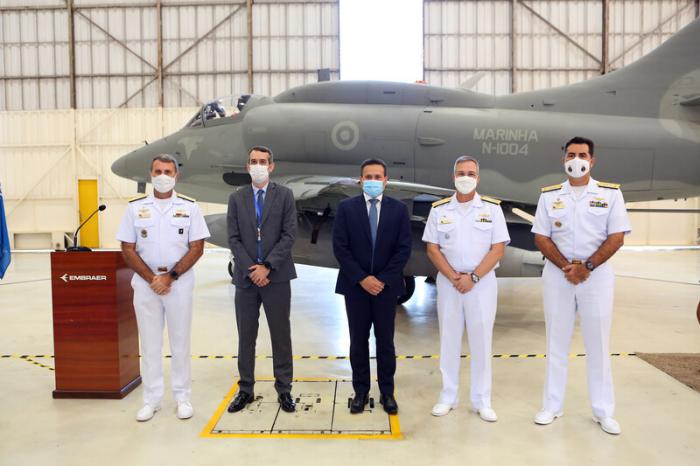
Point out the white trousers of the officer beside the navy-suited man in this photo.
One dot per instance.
(476, 309)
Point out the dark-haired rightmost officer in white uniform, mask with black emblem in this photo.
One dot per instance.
(579, 225)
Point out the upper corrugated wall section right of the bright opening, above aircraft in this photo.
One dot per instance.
(521, 45)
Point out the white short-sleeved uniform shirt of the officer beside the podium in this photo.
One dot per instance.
(162, 237)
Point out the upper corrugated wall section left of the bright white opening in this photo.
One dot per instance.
(204, 45)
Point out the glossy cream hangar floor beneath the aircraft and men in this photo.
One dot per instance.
(656, 296)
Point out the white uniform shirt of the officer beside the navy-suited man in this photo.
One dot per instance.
(465, 238)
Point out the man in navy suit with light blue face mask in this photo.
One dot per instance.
(371, 278)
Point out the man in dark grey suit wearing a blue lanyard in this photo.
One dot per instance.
(262, 224)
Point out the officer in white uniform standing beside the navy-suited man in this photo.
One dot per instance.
(466, 235)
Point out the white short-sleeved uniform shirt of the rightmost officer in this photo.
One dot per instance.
(579, 226)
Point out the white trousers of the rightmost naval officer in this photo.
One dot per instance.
(593, 299)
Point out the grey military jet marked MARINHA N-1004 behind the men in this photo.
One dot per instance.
(644, 118)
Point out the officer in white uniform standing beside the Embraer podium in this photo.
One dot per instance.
(162, 237)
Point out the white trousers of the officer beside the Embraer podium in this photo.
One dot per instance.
(152, 312)
